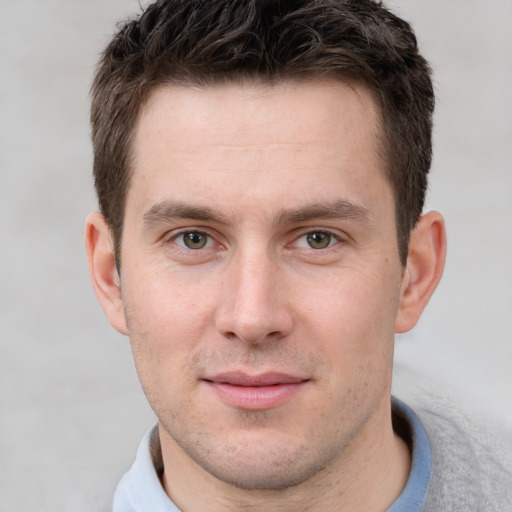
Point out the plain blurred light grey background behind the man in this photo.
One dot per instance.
(71, 409)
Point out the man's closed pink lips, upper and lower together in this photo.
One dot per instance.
(255, 392)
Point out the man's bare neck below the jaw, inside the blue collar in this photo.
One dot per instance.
(369, 476)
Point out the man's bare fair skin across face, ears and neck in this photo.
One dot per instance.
(257, 173)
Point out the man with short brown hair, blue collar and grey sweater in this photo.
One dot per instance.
(261, 168)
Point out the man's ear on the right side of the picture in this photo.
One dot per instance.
(425, 264)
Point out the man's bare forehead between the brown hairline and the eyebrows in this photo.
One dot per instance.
(229, 138)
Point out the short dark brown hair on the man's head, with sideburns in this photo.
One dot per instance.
(200, 42)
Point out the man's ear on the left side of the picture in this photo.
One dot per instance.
(102, 267)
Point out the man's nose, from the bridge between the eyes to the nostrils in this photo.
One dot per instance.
(253, 305)
